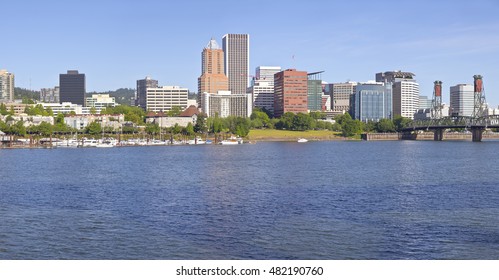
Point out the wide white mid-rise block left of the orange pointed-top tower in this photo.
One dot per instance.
(163, 99)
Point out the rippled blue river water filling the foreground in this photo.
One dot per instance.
(318, 200)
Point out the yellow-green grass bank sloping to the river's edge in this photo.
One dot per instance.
(285, 135)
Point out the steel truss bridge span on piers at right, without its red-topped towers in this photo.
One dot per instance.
(476, 125)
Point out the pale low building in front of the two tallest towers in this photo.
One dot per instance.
(224, 104)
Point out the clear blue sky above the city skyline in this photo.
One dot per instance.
(116, 43)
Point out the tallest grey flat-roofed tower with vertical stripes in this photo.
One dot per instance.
(236, 52)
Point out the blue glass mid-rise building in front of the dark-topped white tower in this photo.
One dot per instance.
(372, 102)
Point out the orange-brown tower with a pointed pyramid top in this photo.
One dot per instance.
(212, 77)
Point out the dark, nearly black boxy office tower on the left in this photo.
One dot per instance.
(72, 87)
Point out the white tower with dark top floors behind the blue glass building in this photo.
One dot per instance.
(405, 91)
